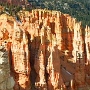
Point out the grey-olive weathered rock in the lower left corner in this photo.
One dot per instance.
(6, 81)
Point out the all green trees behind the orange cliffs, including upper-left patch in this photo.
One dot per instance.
(79, 9)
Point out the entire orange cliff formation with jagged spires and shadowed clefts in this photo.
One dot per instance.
(47, 50)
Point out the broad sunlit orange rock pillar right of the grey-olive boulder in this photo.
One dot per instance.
(20, 58)
